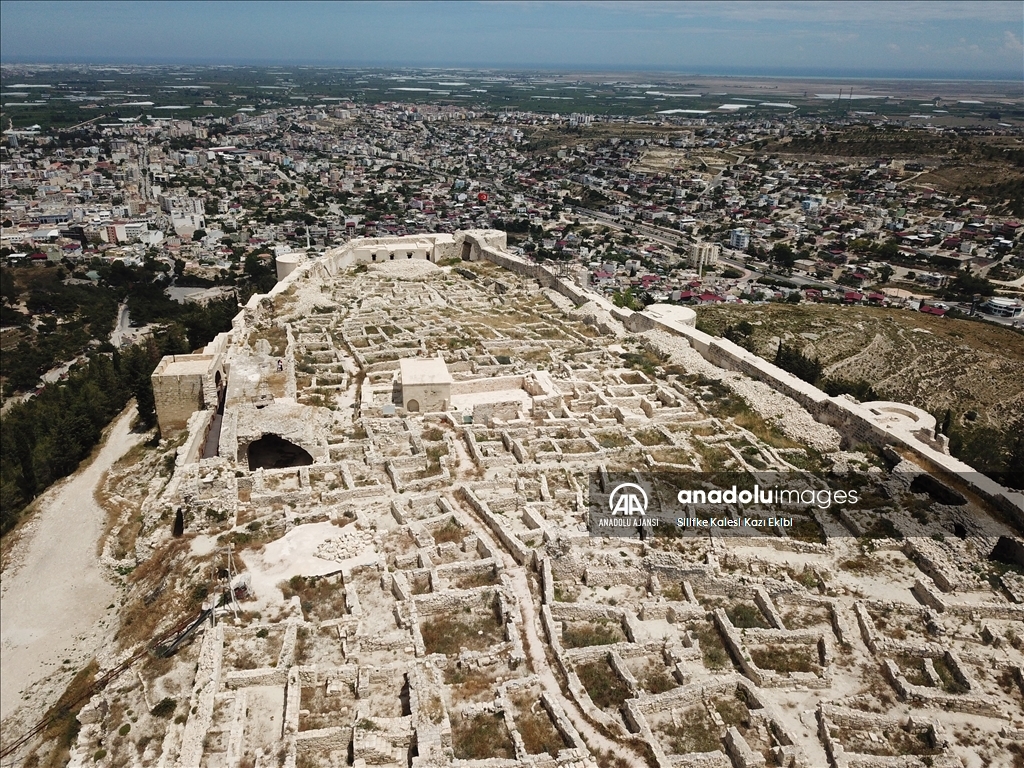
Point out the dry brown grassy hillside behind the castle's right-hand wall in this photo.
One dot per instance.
(969, 374)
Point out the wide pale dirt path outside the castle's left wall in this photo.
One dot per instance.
(55, 599)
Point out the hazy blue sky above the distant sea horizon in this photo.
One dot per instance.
(937, 39)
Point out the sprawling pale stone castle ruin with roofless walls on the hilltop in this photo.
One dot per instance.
(397, 444)
